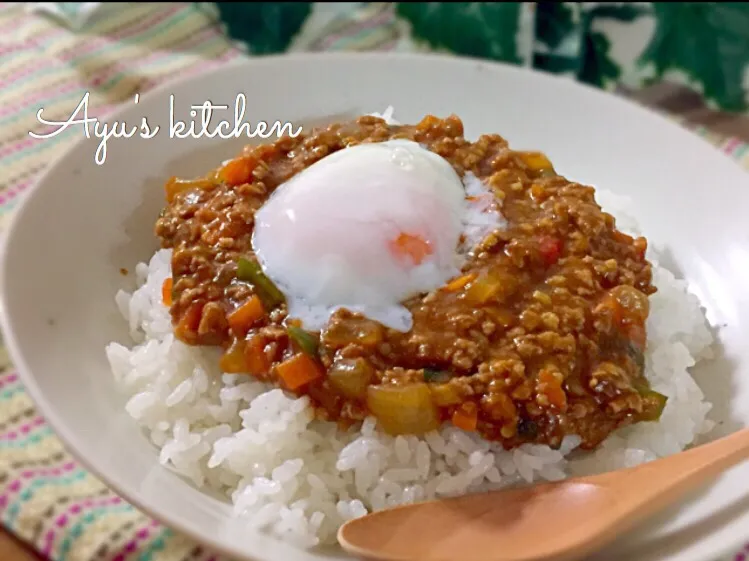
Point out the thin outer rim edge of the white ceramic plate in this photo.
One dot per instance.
(35, 391)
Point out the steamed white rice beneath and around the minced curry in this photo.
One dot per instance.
(300, 479)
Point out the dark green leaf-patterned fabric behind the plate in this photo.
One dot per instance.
(703, 45)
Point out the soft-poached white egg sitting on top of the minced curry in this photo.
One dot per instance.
(364, 229)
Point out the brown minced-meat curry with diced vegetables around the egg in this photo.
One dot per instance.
(542, 334)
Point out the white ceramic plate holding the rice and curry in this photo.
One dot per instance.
(82, 222)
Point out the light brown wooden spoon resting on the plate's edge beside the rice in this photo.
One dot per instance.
(552, 521)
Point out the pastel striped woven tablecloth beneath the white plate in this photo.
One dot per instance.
(46, 498)
